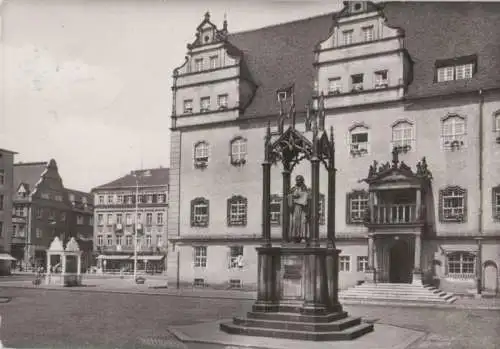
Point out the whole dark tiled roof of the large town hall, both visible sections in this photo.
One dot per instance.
(279, 55)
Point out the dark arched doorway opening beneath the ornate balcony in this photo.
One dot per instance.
(400, 262)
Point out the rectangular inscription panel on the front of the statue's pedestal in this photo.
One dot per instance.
(292, 277)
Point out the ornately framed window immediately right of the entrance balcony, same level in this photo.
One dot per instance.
(453, 205)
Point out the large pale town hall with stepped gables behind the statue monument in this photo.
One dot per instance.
(412, 86)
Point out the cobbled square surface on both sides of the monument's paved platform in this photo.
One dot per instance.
(65, 319)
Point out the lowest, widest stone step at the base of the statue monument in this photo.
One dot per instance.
(346, 334)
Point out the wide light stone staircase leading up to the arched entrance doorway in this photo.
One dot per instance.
(396, 293)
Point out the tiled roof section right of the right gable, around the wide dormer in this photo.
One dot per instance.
(444, 30)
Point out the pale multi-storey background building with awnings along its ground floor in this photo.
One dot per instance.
(136, 202)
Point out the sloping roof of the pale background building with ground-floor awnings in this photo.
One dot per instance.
(150, 177)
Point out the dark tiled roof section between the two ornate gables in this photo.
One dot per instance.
(279, 55)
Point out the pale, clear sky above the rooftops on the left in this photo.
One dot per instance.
(88, 82)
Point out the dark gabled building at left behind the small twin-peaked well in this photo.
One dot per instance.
(43, 209)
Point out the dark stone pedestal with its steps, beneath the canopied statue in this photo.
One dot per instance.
(297, 297)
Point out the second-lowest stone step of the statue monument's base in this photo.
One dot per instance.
(334, 326)
